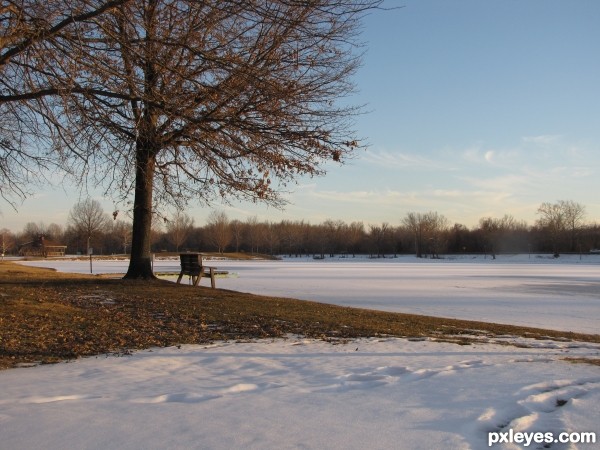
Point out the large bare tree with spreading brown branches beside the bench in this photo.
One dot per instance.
(180, 100)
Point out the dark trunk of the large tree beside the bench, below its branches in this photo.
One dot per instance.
(140, 263)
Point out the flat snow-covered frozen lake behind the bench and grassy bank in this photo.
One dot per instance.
(561, 294)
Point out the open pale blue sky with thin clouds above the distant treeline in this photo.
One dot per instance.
(473, 109)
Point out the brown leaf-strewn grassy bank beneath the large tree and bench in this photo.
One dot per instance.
(46, 316)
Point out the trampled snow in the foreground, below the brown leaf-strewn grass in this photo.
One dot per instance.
(298, 393)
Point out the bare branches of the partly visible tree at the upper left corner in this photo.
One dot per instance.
(32, 36)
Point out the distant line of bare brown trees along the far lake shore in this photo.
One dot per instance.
(560, 228)
